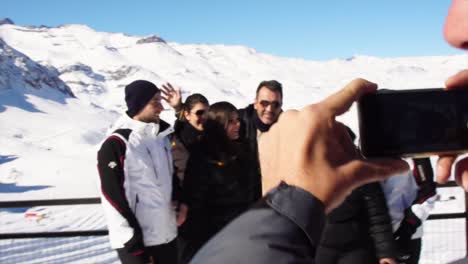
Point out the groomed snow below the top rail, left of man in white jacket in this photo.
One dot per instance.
(54, 231)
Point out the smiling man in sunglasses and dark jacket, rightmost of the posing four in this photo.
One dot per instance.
(256, 119)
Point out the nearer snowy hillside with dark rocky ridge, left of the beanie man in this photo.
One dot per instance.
(43, 125)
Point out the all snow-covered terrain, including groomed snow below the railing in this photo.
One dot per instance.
(49, 136)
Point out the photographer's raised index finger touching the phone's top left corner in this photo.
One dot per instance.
(341, 101)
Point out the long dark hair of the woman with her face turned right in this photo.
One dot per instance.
(216, 139)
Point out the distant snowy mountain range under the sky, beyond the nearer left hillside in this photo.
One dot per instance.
(99, 63)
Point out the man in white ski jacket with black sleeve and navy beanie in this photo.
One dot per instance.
(136, 174)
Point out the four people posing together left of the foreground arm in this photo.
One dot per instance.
(166, 190)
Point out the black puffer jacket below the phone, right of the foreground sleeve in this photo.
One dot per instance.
(360, 224)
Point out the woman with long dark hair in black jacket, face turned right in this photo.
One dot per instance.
(216, 178)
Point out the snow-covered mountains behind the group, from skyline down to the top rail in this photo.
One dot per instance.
(48, 135)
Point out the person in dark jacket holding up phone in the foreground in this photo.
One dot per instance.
(327, 161)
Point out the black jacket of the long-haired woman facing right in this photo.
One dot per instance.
(216, 192)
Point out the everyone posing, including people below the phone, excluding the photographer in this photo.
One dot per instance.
(166, 190)
